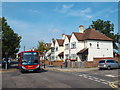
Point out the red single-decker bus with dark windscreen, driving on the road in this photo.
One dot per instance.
(29, 61)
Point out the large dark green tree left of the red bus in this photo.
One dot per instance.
(10, 40)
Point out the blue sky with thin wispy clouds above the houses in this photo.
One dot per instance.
(36, 21)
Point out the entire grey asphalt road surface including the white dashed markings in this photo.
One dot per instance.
(54, 79)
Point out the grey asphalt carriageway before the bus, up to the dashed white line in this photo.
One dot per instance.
(48, 79)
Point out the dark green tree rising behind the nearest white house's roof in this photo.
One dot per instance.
(106, 28)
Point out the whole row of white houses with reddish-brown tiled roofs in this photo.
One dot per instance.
(81, 46)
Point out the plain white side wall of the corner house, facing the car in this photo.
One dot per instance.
(105, 49)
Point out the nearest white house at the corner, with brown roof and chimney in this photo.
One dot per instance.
(88, 44)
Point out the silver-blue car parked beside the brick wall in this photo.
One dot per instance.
(108, 64)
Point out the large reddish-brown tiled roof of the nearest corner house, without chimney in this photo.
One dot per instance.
(91, 34)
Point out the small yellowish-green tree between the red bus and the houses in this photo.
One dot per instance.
(42, 47)
